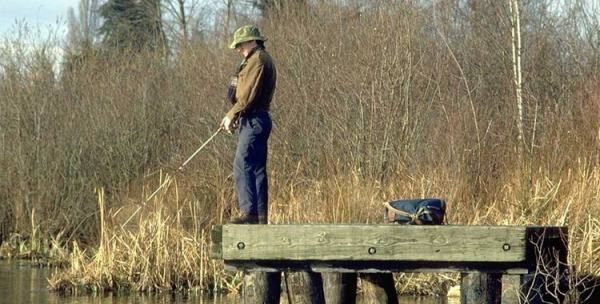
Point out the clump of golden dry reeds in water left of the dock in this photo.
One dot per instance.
(155, 250)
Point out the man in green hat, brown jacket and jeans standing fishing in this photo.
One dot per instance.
(251, 95)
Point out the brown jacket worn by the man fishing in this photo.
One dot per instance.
(255, 85)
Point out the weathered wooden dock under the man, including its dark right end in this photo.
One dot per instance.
(482, 253)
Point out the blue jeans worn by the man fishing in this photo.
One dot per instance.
(250, 163)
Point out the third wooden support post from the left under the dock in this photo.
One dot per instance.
(340, 288)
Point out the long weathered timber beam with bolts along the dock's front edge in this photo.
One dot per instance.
(374, 243)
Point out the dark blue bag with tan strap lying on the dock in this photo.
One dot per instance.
(429, 211)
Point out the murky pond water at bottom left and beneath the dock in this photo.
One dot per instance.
(22, 283)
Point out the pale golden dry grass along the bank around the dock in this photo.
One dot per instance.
(162, 244)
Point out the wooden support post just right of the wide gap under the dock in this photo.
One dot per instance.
(480, 288)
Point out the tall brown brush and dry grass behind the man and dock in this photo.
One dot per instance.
(371, 105)
